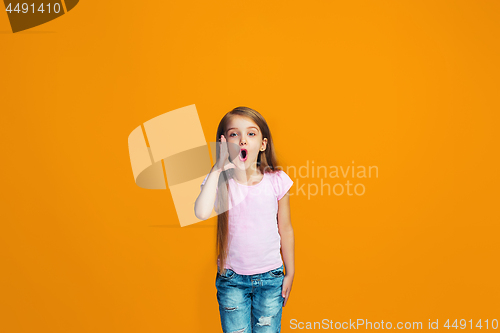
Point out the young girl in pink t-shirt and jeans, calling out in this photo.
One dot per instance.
(251, 197)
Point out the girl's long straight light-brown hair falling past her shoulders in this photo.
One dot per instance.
(266, 162)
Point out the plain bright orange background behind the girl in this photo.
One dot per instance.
(410, 87)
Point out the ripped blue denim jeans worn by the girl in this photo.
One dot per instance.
(250, 303)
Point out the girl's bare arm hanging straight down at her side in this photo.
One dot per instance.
(287, 243)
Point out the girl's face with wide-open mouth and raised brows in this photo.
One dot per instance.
(245, 140)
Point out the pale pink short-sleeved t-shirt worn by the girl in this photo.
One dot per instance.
(254, 240)
